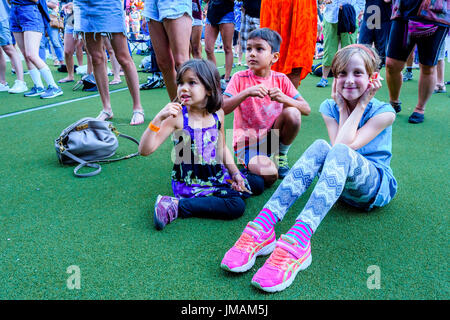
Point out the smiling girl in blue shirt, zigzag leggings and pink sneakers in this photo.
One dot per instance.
(353, 167)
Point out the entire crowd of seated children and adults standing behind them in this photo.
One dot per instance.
(279, 40)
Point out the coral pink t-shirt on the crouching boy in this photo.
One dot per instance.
(255, 116)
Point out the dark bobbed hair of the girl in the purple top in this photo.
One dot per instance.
(208, 74)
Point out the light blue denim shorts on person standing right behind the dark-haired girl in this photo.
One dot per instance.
(159, 10)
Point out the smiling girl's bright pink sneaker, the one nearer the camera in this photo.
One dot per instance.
(284, 263)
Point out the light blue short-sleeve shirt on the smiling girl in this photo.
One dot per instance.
(378, 151)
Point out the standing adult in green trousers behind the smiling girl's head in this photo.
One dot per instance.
(331, 38)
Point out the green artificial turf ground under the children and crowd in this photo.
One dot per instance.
(50, 220)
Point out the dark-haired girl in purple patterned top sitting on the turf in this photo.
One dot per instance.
(205, 179)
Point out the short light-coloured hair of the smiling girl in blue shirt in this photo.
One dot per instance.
(368, 54)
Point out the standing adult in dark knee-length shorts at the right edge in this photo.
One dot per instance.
(407, 31)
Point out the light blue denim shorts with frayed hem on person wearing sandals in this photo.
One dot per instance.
(99, 16)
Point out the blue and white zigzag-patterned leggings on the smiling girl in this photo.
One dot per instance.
(343, 172)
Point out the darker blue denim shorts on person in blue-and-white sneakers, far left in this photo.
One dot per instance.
(26, 18)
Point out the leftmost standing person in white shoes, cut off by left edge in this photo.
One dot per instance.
(6, 44)
